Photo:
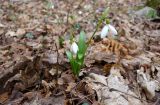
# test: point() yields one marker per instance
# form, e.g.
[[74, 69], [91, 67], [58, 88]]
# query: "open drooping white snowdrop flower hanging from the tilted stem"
[[108, 30]]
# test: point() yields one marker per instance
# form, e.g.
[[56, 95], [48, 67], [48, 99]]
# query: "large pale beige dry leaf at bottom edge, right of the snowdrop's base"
[[103, 86]]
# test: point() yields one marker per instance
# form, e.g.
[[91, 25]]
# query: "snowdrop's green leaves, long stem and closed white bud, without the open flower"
[[77, 54]]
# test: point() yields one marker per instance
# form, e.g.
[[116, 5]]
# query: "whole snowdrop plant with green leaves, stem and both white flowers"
[[76, 55]]
